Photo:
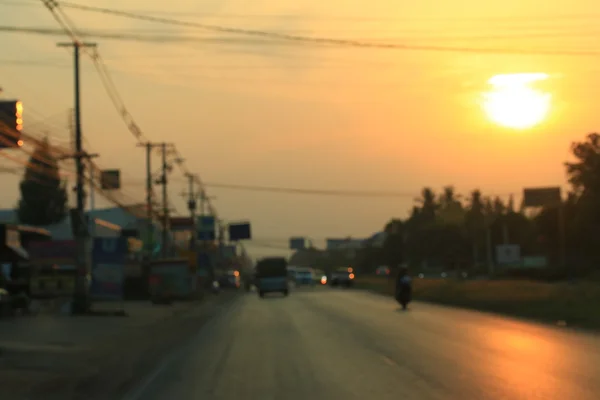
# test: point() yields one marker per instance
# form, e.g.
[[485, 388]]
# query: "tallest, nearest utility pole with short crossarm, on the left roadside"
[[81, 298]]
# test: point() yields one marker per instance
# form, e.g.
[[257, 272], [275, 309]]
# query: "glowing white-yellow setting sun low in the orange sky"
[[513, 103]]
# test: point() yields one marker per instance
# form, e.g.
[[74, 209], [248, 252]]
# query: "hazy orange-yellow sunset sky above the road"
[[253, 111]]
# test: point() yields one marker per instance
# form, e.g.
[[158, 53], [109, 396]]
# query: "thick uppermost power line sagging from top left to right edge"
[[322, 40]]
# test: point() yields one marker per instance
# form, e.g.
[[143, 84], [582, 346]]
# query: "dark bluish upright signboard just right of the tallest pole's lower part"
[[108, 268]]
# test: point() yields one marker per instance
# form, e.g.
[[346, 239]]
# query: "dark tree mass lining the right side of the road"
[[442, 230]]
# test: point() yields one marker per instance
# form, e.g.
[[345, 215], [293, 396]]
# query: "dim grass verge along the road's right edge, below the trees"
[[575, 304]]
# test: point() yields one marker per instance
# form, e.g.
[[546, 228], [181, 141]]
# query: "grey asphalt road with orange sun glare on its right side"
[[338, 344]]
